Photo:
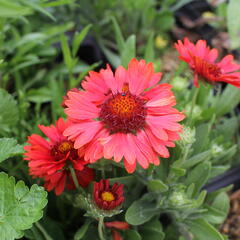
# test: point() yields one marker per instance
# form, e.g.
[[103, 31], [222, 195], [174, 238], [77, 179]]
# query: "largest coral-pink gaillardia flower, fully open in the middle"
[[124, 116]]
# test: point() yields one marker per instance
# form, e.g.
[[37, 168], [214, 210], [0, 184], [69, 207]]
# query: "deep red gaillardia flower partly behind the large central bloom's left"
[[50, 159]]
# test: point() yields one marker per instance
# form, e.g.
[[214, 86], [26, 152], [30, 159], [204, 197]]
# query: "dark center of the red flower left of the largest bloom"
[[61, 149]]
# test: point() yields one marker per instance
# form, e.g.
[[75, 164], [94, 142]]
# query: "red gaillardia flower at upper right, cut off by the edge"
[[202, 60]]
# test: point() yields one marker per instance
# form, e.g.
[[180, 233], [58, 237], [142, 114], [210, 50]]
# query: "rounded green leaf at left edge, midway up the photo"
[[7, 102]]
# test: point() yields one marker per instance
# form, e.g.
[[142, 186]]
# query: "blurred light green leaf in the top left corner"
[[10, 9]]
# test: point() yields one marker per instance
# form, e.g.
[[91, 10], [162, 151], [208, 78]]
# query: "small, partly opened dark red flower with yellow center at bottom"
[[106, 197]]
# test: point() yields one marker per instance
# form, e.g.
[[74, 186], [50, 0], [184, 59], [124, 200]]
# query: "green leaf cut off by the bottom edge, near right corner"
[[202, 230]]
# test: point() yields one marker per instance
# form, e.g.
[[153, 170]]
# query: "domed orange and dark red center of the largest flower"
[[123, 112]]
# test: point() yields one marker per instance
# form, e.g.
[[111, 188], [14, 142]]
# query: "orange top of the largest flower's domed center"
[[123, 104]]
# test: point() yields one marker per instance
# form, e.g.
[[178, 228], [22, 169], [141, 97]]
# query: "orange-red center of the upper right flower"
[[209, 71]]
